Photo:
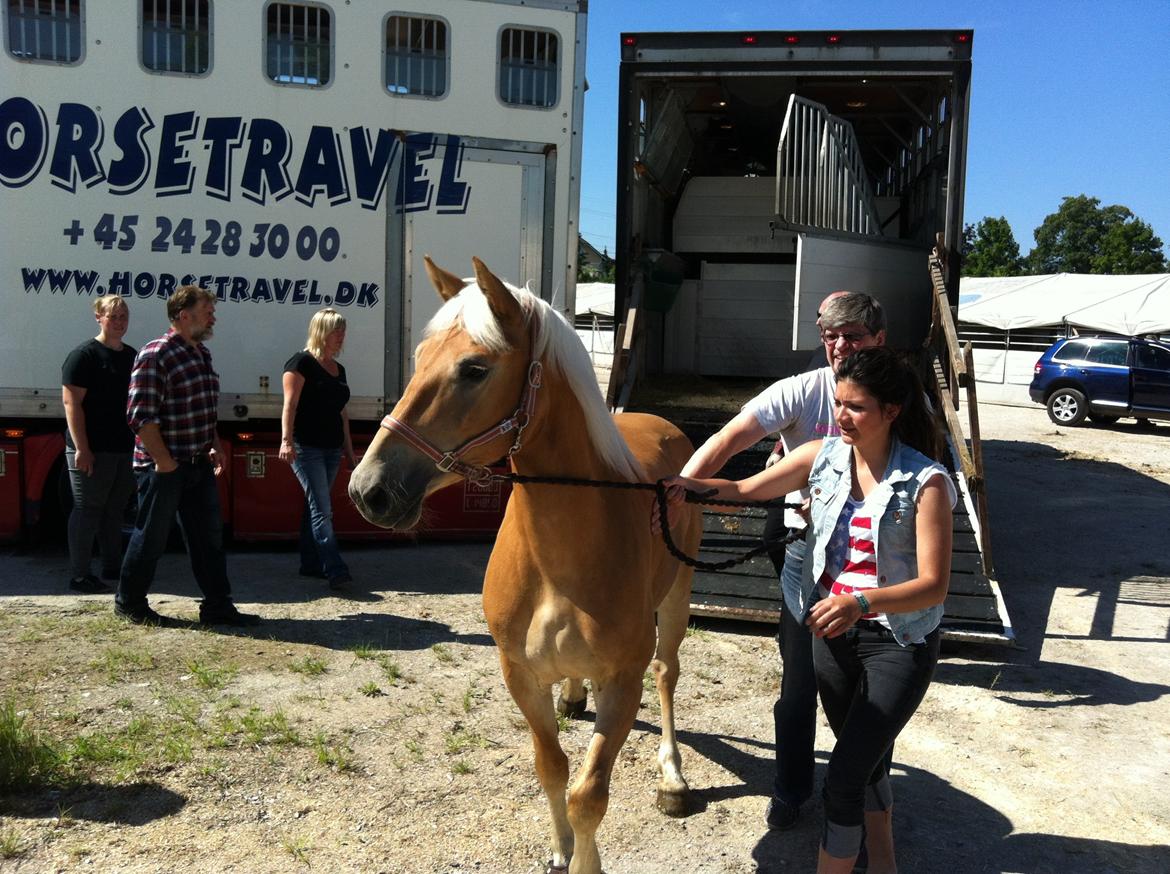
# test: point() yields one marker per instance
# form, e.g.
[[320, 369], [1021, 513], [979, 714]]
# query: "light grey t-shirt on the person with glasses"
[[801, 409]]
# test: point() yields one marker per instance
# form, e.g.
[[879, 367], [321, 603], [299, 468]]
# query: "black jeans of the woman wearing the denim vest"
[[870, 687]]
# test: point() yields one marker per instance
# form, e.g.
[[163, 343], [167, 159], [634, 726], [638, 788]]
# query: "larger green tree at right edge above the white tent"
[[1084, 237]]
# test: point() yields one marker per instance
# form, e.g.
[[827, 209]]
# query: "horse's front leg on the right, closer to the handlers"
[[617, 705]]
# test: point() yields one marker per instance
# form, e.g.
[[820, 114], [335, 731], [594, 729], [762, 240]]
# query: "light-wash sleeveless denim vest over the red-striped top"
[[896, 541]]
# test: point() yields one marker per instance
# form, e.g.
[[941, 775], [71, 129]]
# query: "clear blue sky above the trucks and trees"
[[1069, 98]]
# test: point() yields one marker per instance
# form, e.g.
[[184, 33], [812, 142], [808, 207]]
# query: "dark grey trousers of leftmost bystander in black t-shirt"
[[100, 508]]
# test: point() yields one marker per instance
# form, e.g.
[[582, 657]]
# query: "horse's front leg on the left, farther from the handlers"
[[535, 701]]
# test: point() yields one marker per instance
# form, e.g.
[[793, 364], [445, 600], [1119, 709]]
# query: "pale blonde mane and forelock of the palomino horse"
[[560, 347]]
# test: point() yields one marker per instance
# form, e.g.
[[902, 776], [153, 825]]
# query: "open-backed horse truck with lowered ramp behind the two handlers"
[[758, 173]]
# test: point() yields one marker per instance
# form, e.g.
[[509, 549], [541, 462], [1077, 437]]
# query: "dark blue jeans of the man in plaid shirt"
[[189, 493]]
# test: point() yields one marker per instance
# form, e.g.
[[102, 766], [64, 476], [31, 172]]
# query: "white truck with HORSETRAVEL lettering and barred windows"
[[287, 156]]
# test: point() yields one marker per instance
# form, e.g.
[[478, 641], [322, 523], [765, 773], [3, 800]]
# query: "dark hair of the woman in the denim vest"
[[889, 377]]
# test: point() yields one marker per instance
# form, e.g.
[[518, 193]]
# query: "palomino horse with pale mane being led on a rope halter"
[[575, 579]]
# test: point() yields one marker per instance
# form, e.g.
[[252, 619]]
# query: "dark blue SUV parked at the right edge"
[[1104, 378]]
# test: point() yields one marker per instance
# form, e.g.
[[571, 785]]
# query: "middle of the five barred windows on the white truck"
[[299, 45]]
